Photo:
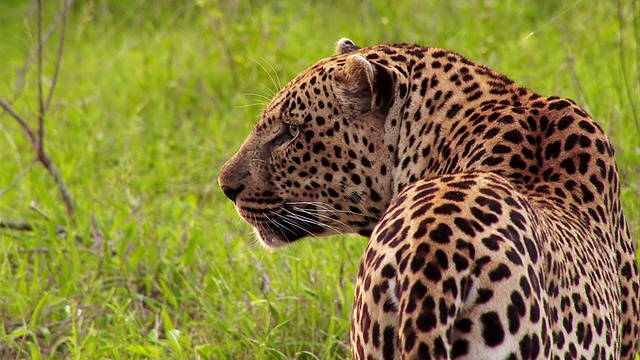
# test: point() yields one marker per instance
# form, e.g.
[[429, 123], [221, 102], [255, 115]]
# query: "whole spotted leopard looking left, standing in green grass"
[[493, 214]]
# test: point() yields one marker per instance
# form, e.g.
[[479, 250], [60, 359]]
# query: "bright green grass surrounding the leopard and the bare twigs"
[[152, 99]]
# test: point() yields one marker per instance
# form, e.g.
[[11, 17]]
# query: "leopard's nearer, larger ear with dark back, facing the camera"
[[366, 85]]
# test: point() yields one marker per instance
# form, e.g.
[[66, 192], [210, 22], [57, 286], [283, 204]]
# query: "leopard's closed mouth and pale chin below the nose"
[[277, 227]]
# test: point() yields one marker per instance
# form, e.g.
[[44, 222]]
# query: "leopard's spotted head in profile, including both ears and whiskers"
[[319, 160]]
